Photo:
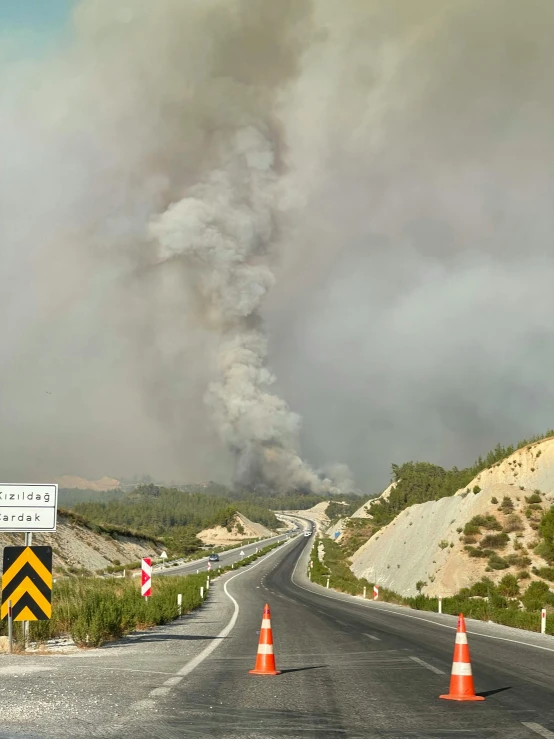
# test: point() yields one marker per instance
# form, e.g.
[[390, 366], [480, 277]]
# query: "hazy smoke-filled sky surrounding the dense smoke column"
[[411, 316]]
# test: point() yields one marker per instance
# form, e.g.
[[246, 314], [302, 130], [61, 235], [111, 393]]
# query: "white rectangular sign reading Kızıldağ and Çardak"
[[28, 507]]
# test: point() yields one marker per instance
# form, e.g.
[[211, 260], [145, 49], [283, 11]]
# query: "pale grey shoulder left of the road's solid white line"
[[96, 692]]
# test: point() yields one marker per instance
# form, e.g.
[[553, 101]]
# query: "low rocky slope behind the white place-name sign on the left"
[[76, 546]]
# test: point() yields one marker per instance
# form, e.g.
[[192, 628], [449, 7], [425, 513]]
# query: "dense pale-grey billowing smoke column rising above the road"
[[221, 227]]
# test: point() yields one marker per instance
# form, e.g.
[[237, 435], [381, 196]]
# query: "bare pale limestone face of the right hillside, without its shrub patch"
[[411, 548]]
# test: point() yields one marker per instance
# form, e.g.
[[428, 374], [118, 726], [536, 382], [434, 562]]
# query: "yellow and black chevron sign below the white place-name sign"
[[27, 582]]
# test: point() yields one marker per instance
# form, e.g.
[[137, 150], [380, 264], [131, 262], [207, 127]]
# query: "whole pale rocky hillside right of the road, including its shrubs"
[[489, 527]]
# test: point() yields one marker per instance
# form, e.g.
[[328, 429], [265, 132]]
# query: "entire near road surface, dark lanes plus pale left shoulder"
[[350, 668]]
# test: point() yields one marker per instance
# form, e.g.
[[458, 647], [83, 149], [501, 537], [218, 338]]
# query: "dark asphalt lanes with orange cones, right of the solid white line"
[[352, 670]]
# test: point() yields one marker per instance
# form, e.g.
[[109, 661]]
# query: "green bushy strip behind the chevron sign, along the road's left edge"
[[94, 610]]
